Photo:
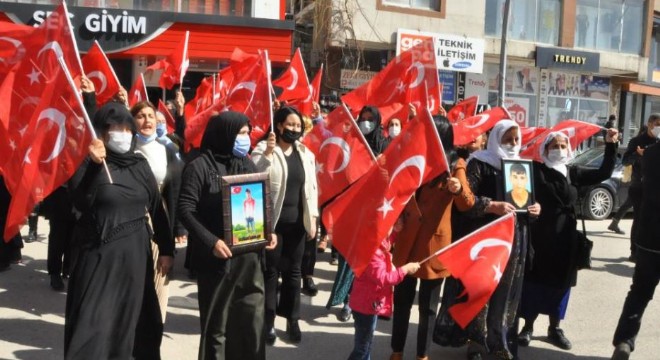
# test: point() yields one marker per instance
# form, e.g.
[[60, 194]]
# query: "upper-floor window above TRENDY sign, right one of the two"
[[610, 25]]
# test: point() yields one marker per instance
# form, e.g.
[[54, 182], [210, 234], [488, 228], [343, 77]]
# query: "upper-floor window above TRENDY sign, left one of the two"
[[529, 20]]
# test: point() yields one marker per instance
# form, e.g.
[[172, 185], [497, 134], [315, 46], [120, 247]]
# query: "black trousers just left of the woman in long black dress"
[[59, 244]]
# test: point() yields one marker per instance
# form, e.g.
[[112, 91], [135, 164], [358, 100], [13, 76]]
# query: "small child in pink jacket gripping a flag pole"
[[372, 297]]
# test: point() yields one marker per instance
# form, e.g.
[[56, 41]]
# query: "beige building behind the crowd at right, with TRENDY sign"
[[578, 59]]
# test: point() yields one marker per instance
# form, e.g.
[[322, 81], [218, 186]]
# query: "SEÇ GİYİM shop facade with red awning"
[[136, 33]]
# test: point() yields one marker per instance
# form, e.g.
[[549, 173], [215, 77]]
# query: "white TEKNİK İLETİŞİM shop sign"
[[454, 53]]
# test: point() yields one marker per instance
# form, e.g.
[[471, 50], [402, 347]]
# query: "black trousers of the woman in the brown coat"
[[404, 296]]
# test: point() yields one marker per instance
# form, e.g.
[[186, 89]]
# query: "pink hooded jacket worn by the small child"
[[373, 291]]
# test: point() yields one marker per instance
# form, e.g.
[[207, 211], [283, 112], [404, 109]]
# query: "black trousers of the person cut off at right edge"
[[645, 280]]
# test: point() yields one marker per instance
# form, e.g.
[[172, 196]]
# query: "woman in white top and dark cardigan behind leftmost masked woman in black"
[[167, 167]]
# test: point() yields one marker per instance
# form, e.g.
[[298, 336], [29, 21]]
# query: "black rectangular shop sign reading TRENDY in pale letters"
[[559, 58]]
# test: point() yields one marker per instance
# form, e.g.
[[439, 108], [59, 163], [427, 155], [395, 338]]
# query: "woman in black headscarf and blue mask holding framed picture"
[[230, 288]]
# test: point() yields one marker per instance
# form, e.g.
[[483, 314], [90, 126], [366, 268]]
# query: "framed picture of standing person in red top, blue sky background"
[[246, 211]]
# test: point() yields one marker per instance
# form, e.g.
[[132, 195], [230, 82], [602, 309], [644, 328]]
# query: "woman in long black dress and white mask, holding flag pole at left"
[[112, 310]]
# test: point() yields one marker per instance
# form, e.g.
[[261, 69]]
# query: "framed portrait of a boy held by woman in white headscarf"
[[518, 183]]
